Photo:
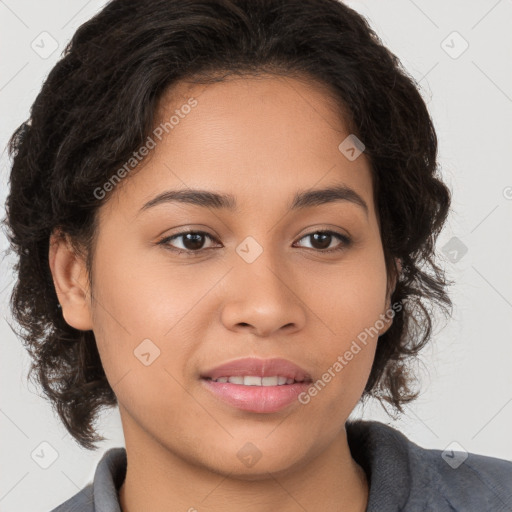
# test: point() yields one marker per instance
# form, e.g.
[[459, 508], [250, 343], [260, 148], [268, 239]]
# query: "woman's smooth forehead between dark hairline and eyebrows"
[[259, 139]]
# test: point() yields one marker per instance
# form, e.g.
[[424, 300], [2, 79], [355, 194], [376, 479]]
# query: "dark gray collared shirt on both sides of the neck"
[[402, 476]]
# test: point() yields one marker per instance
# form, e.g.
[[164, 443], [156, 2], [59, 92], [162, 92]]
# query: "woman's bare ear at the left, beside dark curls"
[[69, 274]]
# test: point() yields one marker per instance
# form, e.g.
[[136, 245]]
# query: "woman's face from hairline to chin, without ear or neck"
[[258, 283]]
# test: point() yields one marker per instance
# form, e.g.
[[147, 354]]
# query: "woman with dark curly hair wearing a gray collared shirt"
[[225, 214]]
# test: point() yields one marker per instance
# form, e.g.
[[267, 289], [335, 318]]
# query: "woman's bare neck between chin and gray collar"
[[157, 478]]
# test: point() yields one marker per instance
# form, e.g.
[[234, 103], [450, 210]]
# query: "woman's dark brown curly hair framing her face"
[[99, 104]]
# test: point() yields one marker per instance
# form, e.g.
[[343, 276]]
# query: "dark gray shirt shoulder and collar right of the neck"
[[416, 478]]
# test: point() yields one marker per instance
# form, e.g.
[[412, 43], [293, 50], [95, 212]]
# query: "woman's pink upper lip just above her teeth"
[[260, 368]]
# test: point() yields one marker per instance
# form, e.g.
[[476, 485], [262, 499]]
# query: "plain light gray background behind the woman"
[[467, 378]]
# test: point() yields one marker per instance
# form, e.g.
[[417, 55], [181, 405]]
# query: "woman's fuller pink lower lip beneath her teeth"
[[262, 399]]
